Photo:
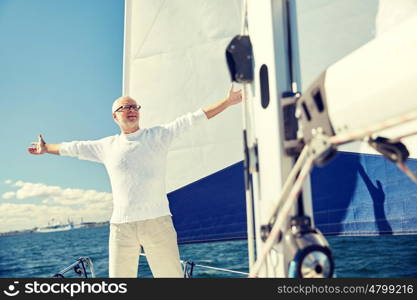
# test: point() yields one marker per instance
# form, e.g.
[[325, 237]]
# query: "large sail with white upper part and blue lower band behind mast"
[[174, 62]]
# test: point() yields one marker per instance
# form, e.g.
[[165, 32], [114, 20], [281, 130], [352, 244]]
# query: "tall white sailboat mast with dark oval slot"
[[273, 33]]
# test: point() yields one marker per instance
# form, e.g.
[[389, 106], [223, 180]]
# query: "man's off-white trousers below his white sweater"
[[159, 241]]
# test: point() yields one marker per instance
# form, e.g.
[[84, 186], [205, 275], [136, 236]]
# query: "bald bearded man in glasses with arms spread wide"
[[135, 160]]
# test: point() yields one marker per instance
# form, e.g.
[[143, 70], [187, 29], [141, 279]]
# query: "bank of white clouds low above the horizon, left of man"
[[51, 202]]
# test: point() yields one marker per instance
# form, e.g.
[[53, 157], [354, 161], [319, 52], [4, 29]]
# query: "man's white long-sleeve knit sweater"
[[136, 164]]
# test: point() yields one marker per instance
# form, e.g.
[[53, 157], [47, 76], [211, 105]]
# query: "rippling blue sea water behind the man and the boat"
[[45, 254]]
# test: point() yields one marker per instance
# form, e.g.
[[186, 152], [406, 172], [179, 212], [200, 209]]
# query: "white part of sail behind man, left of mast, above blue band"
[[174, 63]]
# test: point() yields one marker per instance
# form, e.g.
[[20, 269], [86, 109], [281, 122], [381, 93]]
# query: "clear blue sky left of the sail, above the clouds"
[[60, 71]]
